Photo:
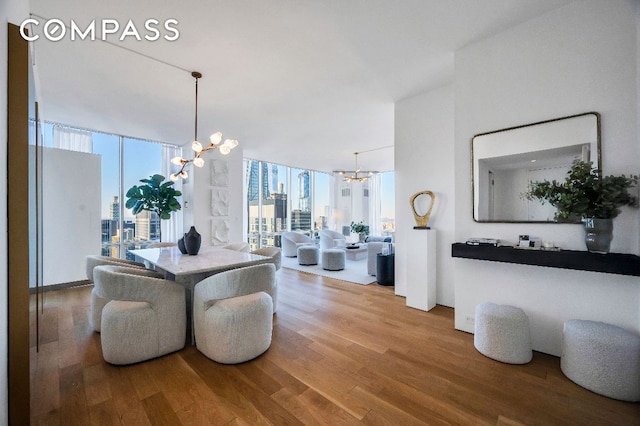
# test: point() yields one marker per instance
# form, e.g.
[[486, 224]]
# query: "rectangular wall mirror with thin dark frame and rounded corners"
[[505, 162]]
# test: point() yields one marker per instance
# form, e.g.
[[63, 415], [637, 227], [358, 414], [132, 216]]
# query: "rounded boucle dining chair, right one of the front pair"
[[233, 313]]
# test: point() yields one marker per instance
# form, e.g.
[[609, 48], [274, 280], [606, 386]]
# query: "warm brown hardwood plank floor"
[[341, 354]]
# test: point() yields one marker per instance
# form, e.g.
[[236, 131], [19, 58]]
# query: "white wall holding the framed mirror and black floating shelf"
[[578, 58]]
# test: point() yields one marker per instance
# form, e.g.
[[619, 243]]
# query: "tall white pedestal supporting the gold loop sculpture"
[[421, 269]]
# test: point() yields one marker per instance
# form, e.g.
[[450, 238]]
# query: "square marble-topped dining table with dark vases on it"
[[189, 270]]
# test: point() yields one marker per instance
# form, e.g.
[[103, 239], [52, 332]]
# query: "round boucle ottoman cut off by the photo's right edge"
[[602, 358]]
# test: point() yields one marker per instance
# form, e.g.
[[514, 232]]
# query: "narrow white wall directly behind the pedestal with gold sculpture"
[[424, 156]]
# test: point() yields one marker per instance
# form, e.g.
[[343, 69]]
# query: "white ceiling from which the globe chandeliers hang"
[[304, 83]]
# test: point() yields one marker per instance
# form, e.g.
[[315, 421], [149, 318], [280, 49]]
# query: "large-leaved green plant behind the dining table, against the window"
[[154, 196]]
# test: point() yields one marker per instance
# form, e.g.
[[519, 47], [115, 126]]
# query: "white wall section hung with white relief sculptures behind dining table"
[[197, 210]]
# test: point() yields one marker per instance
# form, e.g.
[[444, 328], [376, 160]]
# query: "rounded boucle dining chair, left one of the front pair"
[[145, 317]]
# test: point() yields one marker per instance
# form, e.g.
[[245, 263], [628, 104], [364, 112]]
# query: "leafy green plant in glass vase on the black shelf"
[[587, 194]]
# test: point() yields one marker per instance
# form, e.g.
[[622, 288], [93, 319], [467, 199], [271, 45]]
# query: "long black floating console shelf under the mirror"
[[612, 263]]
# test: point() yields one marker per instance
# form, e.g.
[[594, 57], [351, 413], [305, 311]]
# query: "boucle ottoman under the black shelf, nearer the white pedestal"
[[502, 333]]
